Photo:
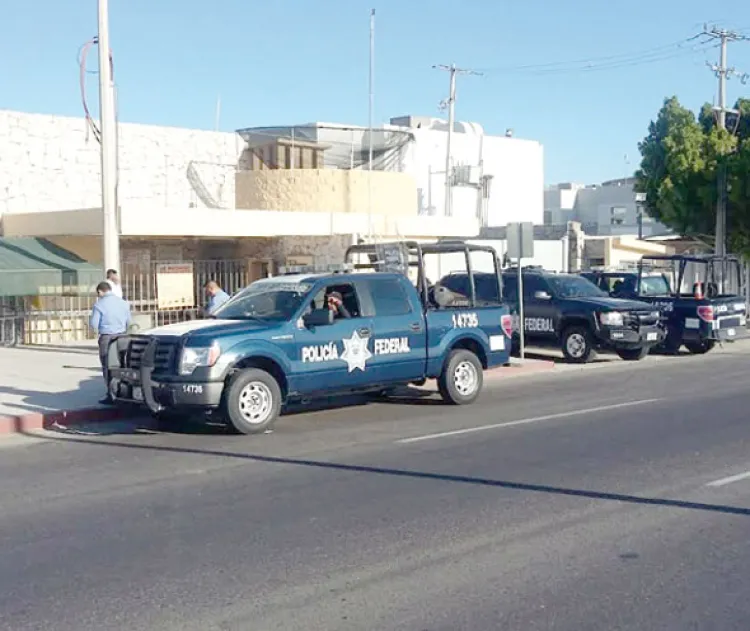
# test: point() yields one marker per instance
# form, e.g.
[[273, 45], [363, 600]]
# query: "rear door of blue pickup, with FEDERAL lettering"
[[399, 338]]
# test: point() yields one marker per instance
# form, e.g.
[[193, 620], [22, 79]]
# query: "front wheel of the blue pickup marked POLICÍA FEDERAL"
[[253, 401]]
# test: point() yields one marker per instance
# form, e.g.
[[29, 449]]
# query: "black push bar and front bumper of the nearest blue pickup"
[[138, 386]]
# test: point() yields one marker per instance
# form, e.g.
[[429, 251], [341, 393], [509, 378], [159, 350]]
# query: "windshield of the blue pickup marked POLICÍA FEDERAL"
[[273, 301]]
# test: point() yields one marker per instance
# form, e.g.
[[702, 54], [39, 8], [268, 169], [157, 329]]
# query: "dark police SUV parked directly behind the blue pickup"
[[570, 311]]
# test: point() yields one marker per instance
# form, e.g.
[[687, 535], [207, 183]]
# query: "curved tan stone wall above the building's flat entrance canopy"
[[327, 190]]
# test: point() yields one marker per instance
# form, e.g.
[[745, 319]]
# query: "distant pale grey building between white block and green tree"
[[604, 209]]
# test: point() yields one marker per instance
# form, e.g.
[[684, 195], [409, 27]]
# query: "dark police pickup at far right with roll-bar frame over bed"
[[699, 297]]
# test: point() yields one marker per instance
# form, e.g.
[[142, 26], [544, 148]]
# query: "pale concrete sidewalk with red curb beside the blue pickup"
[[41, 386]]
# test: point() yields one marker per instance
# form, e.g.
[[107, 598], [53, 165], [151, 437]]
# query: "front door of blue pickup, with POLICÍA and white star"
[[335, 357]]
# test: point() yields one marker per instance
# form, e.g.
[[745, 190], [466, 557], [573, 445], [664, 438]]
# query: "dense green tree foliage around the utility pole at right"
[[680, 160]]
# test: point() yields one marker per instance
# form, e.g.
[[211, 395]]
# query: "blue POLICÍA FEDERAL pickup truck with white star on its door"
[[302, 336]]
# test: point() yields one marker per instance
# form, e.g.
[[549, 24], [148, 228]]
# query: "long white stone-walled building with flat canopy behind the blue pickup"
[[235, 206]]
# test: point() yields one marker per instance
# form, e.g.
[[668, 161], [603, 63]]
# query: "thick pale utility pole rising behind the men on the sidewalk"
[[110, 228]]
